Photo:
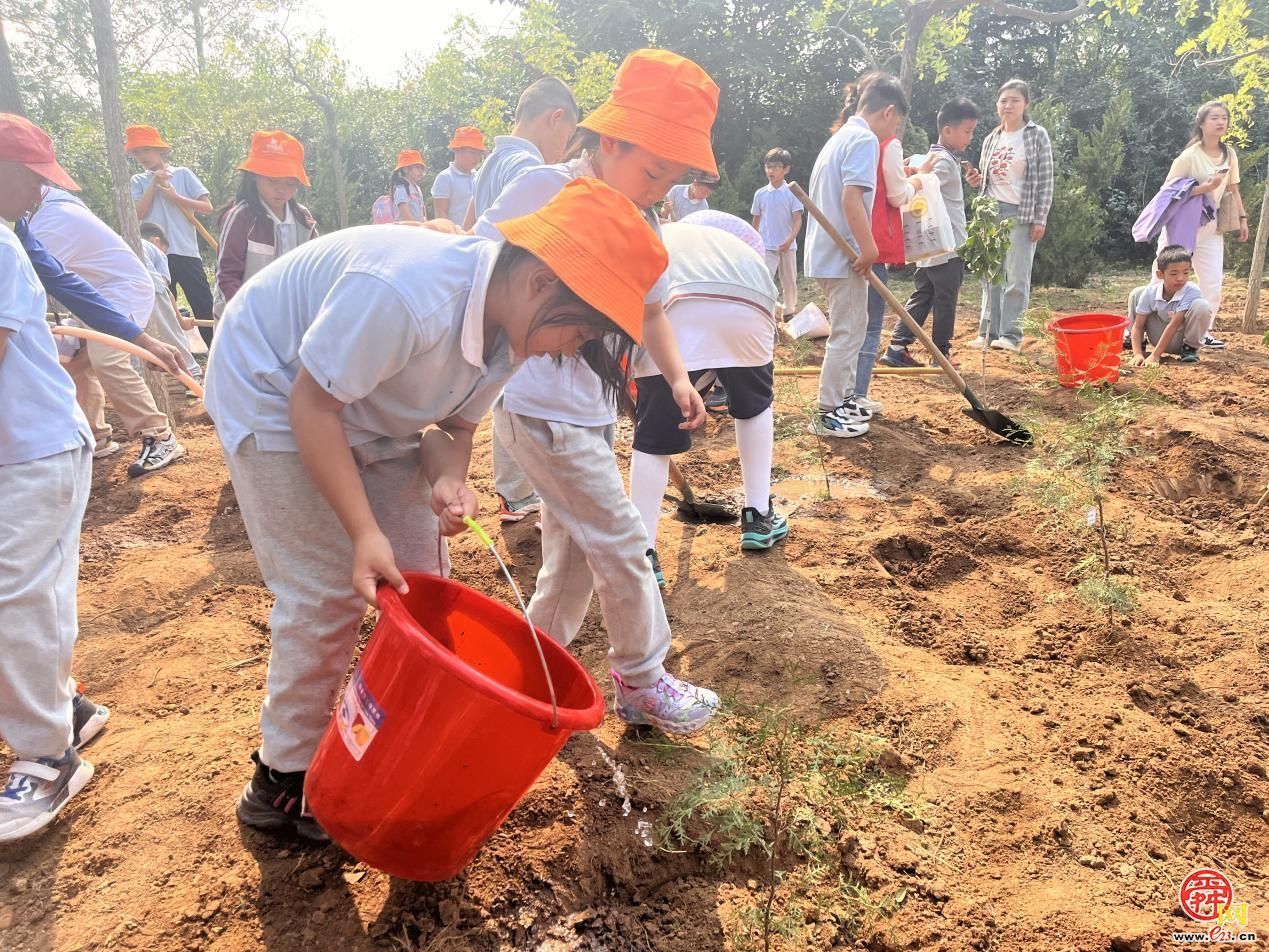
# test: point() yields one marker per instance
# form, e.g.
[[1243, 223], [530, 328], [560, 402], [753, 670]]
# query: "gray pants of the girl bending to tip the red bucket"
[[306, 562]]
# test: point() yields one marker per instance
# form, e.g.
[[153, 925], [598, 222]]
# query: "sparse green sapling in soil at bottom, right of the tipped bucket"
[[785, 791]]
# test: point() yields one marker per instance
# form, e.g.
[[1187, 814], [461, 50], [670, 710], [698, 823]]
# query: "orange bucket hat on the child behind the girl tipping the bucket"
[[664, 103]]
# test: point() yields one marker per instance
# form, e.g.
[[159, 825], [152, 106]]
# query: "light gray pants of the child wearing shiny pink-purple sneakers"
[[593, 540]]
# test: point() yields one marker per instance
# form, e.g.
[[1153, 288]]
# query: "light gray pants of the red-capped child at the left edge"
[[44, 503]]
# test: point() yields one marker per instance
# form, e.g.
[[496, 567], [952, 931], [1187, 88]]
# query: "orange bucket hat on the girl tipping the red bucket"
[[600, 244]]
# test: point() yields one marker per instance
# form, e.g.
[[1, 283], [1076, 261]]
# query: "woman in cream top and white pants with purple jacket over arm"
[[1210, 161]]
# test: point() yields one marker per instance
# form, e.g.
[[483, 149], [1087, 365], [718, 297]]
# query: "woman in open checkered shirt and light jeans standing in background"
[[1018, 172]]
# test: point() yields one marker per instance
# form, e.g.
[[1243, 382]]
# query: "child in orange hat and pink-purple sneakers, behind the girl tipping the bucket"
[[560, 426]]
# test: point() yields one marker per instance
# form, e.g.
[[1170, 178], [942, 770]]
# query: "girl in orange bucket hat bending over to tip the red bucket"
[[329, 366]]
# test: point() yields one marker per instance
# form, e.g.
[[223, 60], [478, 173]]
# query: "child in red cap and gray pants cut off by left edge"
[[46, 472]]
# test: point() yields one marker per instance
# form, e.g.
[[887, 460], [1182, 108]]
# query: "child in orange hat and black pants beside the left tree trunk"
[[171, 196]]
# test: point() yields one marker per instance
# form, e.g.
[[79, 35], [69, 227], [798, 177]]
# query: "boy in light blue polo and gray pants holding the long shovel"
[[843, 183]]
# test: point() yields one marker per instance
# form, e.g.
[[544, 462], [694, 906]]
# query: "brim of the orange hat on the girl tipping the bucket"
[[593, 281]]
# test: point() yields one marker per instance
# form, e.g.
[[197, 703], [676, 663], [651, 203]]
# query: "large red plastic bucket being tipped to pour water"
[[445, 725]]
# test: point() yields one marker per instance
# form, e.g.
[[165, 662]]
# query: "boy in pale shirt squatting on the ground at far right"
[[1171, 312]]
